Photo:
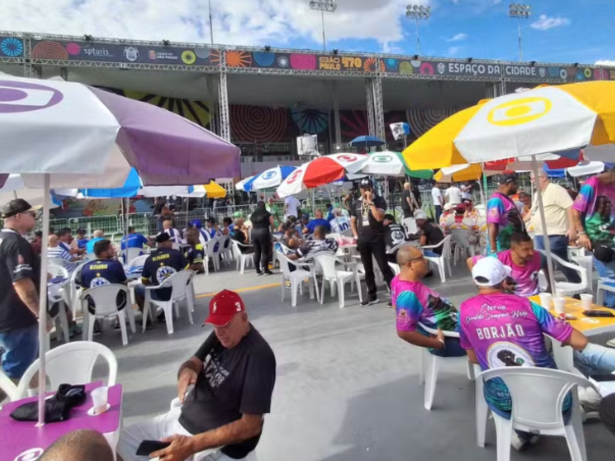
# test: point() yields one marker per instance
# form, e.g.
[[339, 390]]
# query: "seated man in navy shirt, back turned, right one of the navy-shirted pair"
[[161, 264]]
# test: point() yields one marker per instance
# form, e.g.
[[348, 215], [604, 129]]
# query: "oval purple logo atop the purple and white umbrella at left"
[[26, 97]]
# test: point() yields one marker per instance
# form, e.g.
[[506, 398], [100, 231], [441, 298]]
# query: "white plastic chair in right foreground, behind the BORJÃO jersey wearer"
[[537, 397]]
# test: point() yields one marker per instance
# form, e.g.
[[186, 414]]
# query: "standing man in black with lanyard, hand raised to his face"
[[367, 216]]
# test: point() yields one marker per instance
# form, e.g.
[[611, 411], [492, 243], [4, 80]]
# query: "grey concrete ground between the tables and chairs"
[[347, 387]]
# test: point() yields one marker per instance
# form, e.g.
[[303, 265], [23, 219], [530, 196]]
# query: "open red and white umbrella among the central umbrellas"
[[322, 171]]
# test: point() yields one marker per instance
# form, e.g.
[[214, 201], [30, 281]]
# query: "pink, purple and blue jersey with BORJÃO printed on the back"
[[506, 330]]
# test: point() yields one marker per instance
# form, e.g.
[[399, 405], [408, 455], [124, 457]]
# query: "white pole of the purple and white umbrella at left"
[[42, 320]]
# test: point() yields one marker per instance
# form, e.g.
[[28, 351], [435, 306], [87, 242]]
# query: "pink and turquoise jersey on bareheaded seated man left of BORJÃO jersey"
[[415, 303]]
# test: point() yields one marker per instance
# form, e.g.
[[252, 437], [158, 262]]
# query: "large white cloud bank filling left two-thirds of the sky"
[[236, 22]]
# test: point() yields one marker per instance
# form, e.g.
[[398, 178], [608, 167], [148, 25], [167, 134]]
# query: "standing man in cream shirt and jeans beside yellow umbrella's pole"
[[559, 219]]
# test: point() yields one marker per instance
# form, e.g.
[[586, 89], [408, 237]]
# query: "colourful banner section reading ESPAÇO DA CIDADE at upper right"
[[523, 72]]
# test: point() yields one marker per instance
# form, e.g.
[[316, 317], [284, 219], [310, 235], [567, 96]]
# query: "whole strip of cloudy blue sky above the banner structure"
[[558, 31]]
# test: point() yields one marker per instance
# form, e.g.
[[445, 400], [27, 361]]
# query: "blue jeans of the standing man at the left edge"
[[20, 350]]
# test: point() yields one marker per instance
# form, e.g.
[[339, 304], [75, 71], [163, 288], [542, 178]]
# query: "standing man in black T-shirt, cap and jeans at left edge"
[[20, 272]]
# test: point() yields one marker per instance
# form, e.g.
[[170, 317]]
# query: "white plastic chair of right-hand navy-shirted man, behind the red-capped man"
[[181, 285]]
